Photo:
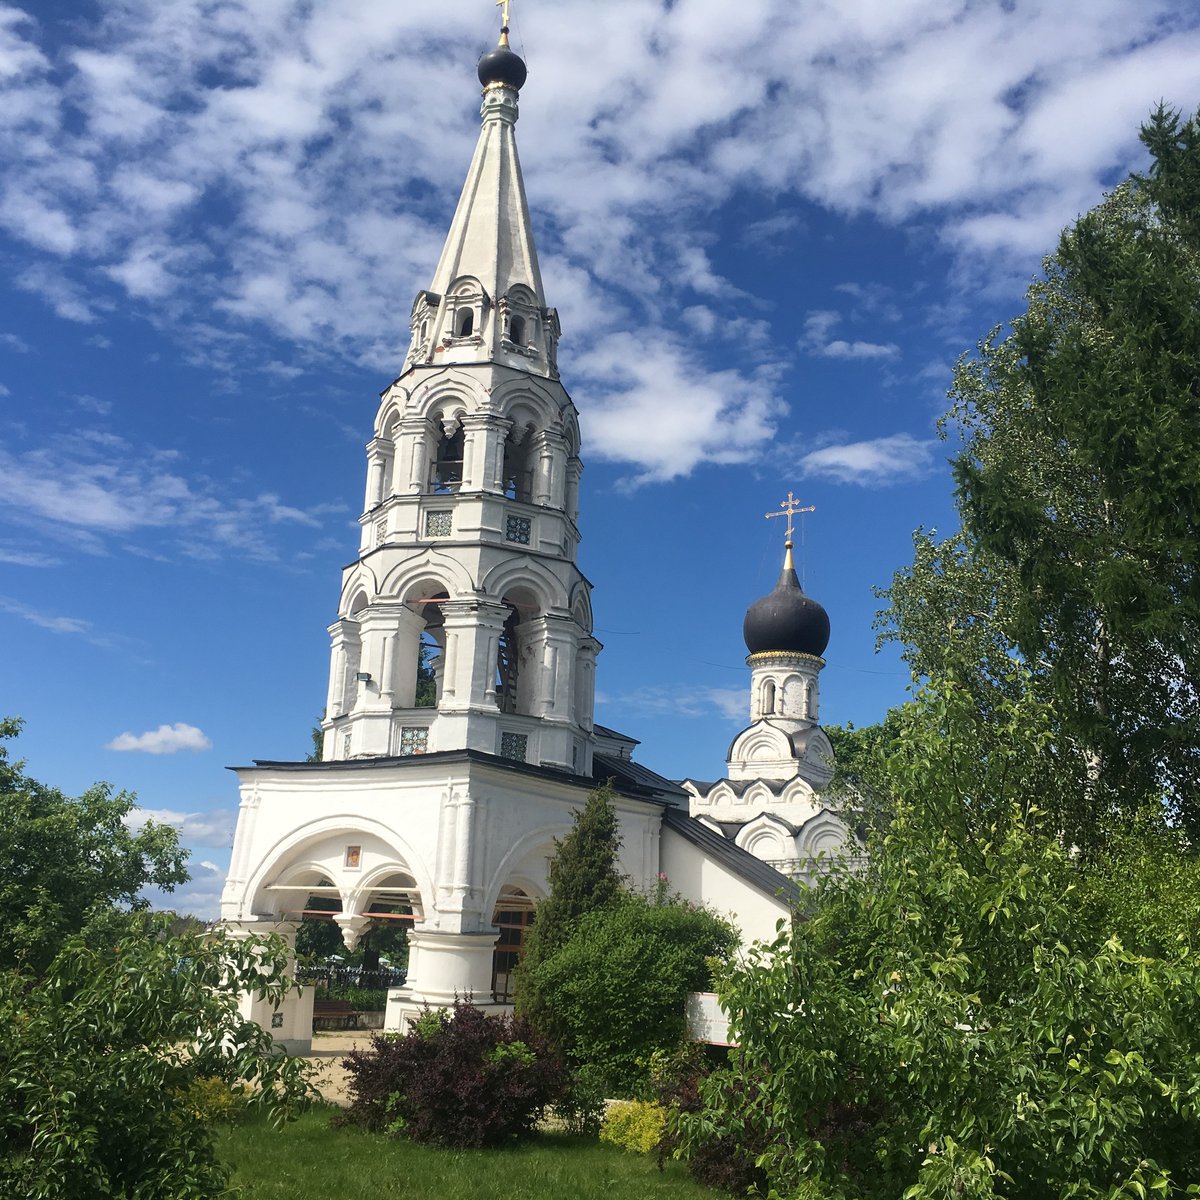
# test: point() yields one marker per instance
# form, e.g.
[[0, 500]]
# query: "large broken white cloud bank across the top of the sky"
[[991, 127]]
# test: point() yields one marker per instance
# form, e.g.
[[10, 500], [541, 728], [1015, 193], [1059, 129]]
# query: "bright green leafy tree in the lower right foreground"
[[953, 1019]]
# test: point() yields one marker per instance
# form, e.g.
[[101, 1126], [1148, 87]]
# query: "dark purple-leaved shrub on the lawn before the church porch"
[[463, 1078]]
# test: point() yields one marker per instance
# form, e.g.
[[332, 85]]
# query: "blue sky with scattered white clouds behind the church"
[[771, 230]]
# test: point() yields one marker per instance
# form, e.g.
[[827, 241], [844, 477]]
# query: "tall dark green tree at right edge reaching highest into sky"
[[1079, 495]]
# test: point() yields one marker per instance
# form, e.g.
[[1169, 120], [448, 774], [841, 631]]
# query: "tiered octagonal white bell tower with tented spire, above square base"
[[465, 622]]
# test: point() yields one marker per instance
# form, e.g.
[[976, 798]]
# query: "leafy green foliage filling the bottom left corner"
[[101, 1053]]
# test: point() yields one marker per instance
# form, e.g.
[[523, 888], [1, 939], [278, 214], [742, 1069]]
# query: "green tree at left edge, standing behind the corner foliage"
[[69, 863]]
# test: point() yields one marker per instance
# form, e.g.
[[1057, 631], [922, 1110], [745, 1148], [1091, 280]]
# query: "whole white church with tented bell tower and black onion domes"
[[459, 733]]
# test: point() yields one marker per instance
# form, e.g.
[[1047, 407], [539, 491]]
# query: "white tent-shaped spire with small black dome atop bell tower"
[[491, 236]]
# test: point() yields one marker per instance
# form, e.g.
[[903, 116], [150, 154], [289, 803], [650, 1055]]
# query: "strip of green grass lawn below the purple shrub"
[[309, 1161]]
